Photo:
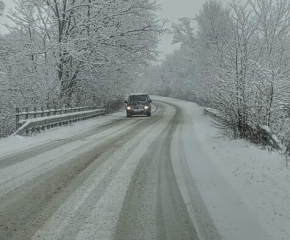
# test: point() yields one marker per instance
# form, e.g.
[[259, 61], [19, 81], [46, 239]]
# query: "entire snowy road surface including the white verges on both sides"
[[140, 178]]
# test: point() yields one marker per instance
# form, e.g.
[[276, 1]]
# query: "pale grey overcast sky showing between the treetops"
[[171, 10]]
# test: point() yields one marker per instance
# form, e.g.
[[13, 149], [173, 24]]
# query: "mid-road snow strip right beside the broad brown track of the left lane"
[[62, 224]]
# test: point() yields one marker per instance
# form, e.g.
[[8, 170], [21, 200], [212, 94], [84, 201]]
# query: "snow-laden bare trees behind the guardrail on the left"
[[73, 52]]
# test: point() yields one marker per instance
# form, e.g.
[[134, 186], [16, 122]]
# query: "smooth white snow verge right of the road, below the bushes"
[[246, 189]]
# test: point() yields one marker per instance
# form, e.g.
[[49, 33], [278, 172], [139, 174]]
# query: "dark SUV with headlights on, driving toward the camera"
[[138, 104]]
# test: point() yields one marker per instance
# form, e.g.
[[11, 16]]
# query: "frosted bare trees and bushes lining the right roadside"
[[236, 60]]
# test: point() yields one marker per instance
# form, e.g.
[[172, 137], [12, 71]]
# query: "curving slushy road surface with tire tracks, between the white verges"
[[112, 182]]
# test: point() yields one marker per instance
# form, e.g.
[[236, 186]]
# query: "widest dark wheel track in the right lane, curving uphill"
[[154, 207]]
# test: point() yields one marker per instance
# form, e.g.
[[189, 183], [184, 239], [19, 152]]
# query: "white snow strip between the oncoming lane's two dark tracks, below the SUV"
[[32, 168]]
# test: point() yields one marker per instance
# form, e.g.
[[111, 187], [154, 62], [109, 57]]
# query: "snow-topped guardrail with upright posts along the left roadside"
[[45, 122]]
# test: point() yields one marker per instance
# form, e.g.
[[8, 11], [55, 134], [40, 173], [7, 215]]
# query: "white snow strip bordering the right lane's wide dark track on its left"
[[102, 222]]
